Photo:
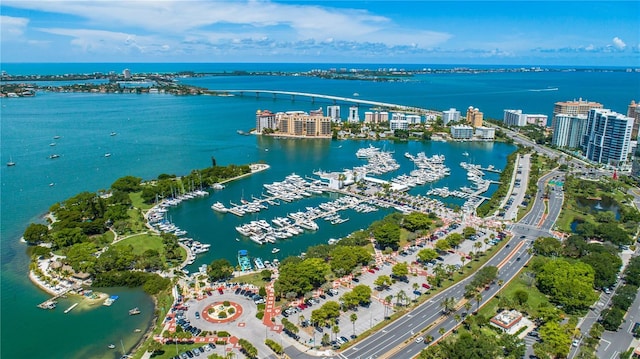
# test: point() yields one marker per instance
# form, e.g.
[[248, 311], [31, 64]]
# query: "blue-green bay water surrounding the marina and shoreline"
[[169, 134]]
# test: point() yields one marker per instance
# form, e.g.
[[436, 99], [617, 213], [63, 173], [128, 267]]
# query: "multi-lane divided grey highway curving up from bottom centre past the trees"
[[396, 340]]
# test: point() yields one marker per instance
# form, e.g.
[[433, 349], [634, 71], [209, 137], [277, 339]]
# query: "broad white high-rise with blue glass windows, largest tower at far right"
[[607, 139]]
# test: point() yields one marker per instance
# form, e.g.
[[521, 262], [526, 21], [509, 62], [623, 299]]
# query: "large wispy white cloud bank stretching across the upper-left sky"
[[246, 20]]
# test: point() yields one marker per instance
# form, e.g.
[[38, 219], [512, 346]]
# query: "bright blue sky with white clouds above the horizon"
[[574, 33]]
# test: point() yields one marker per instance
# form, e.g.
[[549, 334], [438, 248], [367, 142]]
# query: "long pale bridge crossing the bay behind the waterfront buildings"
[[313, 96]]
